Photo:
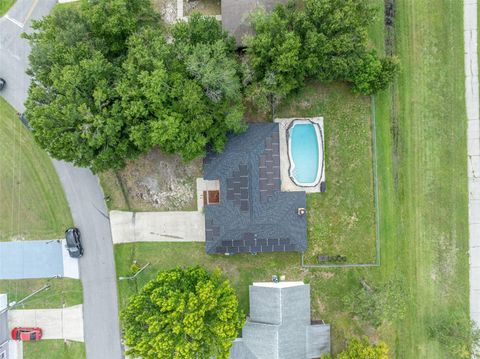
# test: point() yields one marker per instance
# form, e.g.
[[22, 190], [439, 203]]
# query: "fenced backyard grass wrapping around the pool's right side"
[[340, 221]]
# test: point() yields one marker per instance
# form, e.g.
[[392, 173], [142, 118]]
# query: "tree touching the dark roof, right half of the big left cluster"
[[186, 95]]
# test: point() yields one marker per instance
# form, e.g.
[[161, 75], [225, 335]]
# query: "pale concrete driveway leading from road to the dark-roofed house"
[[130, 227]]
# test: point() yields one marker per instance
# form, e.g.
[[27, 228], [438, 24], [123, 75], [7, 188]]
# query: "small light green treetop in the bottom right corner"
[[454, 330]]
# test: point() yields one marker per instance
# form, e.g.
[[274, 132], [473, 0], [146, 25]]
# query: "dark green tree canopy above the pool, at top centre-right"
[[323, 39]]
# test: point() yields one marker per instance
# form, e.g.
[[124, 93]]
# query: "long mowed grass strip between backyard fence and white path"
[[429, 171]]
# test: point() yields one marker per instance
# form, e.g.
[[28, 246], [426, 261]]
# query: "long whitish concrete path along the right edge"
[[473, 144]]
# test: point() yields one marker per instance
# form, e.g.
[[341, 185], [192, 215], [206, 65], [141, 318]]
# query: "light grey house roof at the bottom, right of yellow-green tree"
[[279, 326]]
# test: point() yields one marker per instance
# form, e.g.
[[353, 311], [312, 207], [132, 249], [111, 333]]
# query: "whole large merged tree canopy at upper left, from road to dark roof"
[[107, 86]]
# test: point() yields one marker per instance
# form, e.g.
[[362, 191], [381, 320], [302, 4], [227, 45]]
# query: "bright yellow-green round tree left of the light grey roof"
[[182, 313]]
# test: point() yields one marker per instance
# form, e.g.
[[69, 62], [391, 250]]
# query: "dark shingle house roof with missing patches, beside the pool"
[[253, 214]]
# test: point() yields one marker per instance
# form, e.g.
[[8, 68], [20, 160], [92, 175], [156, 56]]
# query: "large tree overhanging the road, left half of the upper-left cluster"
[[73, 102]]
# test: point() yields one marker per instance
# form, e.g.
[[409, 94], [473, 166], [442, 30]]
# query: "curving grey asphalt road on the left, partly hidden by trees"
[[85, 197]]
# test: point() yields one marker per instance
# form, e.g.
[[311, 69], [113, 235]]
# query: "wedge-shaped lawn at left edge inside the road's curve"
[[33, 205]]
